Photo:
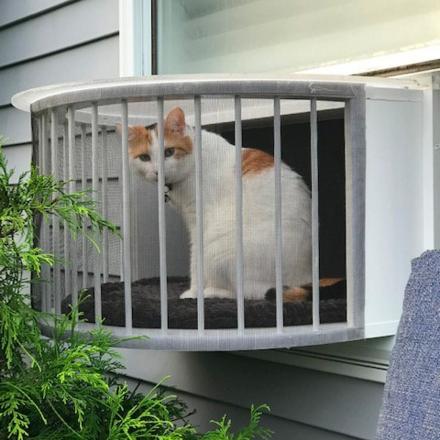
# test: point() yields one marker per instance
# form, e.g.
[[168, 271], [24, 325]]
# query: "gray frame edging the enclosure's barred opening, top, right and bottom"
[[352, 93]]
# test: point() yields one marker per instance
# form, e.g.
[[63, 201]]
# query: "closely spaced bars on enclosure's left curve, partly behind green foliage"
[[63, 167]]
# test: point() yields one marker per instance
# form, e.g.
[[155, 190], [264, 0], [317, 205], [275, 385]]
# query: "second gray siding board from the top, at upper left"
[[71, 25]]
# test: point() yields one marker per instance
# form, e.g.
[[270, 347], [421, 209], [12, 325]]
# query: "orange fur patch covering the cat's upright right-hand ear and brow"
[[175, 133]]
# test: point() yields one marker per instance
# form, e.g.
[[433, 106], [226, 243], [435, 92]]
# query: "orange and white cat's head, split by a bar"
[[143, 148]]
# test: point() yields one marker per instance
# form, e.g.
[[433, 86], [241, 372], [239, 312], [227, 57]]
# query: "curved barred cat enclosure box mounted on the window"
[[316, 126]]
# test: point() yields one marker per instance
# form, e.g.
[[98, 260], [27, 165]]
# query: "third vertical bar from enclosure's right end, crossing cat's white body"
[[239, 266]]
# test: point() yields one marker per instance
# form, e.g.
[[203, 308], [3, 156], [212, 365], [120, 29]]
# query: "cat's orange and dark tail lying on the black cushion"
[[328, 288]]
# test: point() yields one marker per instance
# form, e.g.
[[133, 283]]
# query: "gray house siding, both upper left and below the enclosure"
[[47, 41]]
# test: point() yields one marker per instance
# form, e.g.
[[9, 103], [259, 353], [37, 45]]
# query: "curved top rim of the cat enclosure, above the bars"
[[134, 90]]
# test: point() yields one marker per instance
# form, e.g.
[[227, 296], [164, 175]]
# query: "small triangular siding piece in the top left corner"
[[13, 10]]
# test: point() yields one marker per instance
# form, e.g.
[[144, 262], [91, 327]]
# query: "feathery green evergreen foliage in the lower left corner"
[[68, 387]]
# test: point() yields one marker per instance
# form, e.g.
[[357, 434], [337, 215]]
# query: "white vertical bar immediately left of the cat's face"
[[126, 218]]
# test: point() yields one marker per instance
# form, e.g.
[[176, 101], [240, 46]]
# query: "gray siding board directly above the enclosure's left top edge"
[[93, 61]]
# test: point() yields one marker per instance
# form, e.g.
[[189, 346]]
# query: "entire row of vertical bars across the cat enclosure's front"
[[101, 263]]
